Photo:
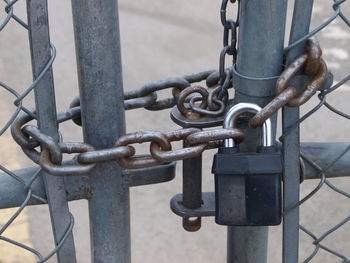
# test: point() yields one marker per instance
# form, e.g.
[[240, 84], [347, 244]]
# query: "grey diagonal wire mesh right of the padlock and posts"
[[318, 240]]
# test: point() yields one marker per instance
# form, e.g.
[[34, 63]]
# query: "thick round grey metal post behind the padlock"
[[260, 45]]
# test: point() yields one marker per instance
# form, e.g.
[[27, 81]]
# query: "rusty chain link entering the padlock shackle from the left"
[[208, 136]]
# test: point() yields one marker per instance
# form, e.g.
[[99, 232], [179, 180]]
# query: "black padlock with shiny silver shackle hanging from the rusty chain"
[[247, 184]]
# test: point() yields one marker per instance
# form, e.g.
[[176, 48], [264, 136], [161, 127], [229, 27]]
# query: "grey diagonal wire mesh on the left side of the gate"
[[19, 97]]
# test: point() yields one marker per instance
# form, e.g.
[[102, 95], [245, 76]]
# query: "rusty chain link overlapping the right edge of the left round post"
[[140, 137]]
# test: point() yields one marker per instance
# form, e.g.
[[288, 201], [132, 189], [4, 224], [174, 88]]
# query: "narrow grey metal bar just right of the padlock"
[[291, 143]]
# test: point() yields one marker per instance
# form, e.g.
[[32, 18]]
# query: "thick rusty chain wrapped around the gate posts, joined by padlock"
[[50, 158]]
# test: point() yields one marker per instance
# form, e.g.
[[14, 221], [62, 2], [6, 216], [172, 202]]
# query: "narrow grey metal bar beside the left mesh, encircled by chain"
[[39, 38]]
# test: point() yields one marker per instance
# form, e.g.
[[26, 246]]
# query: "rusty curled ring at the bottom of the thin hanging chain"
[[187, 112]]
